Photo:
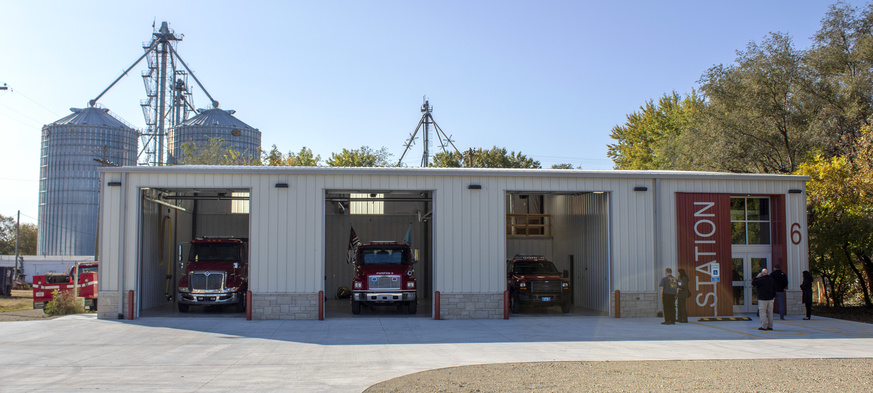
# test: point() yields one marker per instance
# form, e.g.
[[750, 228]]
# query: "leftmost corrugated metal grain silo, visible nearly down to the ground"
[[72, 150]]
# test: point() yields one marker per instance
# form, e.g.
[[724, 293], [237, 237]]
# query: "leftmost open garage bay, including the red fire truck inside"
[[171, 218]]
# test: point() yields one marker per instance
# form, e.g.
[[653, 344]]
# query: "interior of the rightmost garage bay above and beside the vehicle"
[[570, 229]]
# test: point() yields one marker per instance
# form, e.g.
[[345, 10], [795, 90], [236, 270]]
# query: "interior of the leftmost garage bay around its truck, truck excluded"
[[170, 218]]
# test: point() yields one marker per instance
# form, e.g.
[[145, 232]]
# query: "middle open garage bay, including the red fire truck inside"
[[392, 219]]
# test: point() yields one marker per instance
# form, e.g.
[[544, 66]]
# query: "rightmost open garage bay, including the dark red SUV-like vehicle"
[[568, 229]]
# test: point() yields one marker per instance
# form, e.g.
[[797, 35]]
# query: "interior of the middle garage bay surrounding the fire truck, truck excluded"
[[378, 215]]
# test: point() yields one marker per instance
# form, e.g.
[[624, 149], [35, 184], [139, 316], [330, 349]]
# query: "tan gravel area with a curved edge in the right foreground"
[[767, 375]]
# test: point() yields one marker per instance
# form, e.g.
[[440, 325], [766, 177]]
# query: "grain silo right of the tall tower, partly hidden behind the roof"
[[209, 126]]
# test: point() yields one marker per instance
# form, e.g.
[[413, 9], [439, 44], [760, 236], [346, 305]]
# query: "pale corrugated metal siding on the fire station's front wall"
[[289, 242]]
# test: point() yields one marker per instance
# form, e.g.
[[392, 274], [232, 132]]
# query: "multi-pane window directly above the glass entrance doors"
[[750, 221]]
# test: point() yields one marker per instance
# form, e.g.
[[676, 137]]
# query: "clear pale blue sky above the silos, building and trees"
[[549, 79]]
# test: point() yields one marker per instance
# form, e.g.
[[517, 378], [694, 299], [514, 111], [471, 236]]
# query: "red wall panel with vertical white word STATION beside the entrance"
[[704, 235]]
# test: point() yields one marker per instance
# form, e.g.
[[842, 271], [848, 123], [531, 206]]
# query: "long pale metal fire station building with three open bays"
[[614, 232]]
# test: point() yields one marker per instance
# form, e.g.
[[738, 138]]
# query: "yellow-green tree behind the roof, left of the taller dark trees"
[[651, 138]]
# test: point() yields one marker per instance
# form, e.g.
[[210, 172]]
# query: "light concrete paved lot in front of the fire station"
[[347, 354]]
